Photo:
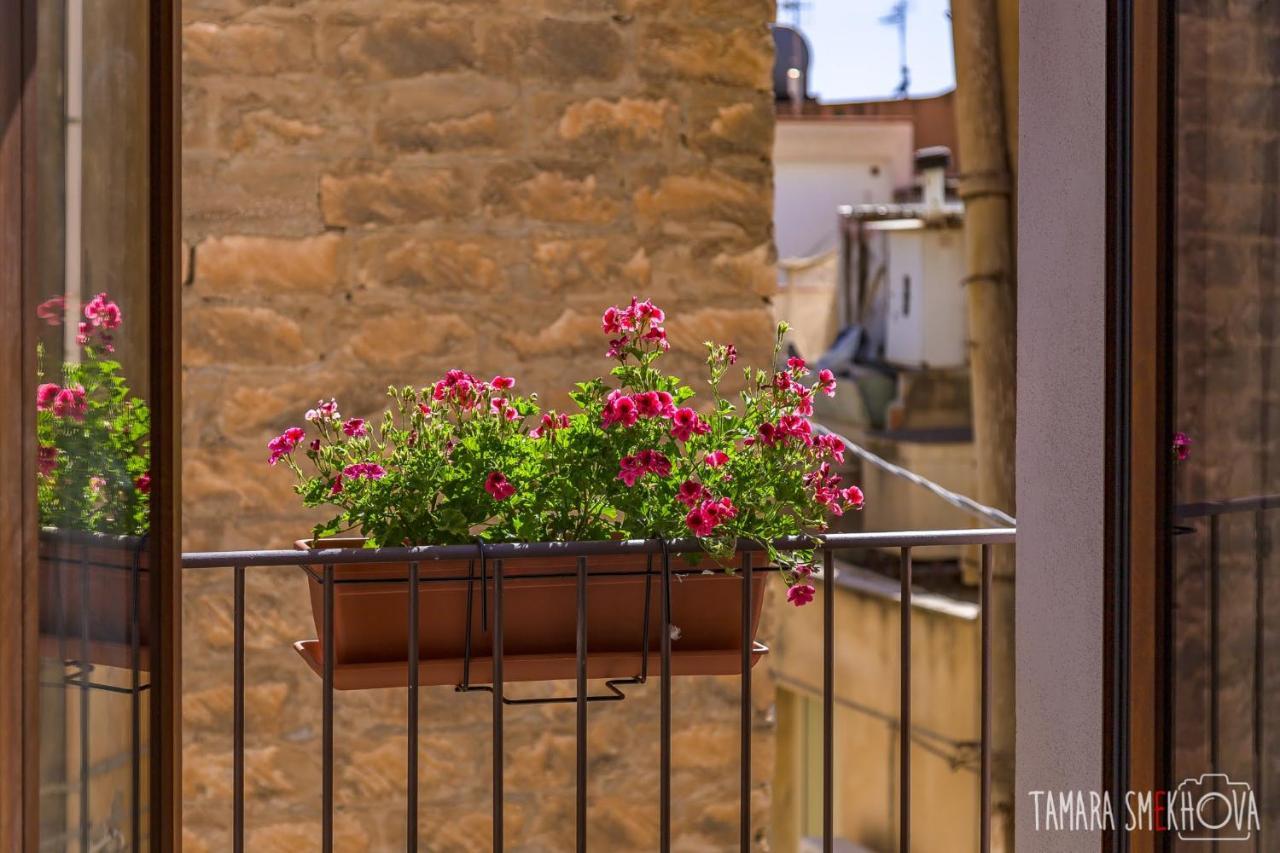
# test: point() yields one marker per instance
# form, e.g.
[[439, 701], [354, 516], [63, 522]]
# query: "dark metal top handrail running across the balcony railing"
[[516, 550]]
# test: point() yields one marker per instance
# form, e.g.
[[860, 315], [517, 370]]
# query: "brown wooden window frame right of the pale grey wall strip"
[[1140, 232]]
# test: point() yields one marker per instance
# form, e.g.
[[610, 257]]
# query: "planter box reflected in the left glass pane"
[[79, 569]]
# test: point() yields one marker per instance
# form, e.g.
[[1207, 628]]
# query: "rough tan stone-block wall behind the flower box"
[[377, 191]]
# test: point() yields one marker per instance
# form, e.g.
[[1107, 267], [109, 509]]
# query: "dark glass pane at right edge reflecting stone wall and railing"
[[1227, 391]]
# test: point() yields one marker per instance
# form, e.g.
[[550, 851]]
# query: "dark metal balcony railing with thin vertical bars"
[[661, 553]]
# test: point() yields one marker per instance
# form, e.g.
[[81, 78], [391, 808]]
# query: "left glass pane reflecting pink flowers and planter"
[[90, 284]]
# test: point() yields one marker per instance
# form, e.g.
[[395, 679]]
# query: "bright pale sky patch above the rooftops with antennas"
[[856, 57]]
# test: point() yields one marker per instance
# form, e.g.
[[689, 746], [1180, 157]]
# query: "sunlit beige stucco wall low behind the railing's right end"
[[945, 718]]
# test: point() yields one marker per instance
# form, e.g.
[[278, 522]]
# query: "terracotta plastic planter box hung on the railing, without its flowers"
[[540, 626]]
